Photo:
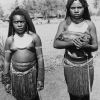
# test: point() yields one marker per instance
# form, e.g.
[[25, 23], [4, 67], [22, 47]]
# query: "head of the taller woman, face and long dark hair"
[[77, 9]]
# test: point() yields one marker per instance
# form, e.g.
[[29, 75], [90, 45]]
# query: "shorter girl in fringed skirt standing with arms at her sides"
[[24, 64]]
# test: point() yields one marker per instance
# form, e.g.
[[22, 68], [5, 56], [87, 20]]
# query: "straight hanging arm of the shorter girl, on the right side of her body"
[[40, 78]]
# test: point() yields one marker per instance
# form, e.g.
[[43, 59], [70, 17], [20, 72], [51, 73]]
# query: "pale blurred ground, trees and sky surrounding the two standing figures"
[[46, 16]]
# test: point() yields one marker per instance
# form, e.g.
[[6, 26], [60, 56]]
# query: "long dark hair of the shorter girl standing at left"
[[23, 12]]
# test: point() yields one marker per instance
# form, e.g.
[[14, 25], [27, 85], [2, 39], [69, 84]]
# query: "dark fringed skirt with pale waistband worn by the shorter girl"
[[23, 84]]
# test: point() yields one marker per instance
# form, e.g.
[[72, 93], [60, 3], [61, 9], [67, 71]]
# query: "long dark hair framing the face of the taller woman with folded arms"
[[84, 3]]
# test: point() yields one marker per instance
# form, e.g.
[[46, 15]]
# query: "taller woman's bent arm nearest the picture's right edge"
[[94, 41]]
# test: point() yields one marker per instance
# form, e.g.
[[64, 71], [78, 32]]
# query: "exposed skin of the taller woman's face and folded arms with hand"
[[76, 12]]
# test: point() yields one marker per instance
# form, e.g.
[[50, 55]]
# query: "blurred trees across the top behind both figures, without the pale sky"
[[48, 8]]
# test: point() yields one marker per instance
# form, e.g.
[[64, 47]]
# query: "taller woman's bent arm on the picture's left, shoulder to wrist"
[[59, 44]]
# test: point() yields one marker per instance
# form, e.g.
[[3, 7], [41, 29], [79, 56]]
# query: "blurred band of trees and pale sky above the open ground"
[[45, 9]]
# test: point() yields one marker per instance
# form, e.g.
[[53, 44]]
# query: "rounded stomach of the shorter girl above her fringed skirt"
[[23, 60]]
